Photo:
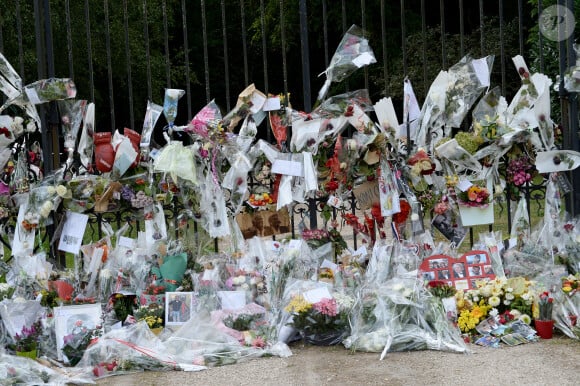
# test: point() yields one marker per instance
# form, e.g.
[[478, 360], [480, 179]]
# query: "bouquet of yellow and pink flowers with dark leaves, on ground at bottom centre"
[[320, 323]]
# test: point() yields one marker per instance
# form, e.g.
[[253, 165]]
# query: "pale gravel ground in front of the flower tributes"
[[547, 362]]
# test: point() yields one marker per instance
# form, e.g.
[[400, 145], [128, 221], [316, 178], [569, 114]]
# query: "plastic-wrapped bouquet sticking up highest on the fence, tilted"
[[352, 53]]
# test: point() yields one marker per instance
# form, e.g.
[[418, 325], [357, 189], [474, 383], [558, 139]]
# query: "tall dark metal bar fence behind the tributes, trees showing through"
[[123, 53]]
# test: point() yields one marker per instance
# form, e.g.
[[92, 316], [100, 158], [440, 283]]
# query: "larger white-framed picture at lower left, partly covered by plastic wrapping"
[[75, 320]]
